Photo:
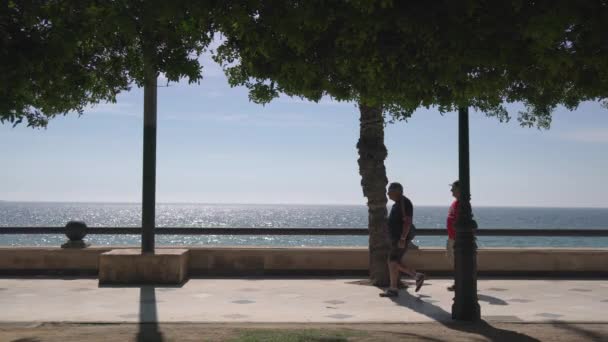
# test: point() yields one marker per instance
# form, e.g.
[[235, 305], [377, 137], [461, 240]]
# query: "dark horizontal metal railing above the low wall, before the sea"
[[599, 232]]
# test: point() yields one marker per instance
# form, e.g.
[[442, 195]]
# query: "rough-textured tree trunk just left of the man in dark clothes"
[[372, 154]]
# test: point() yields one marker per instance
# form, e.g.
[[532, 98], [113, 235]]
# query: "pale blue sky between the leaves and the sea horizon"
[[215, 146]]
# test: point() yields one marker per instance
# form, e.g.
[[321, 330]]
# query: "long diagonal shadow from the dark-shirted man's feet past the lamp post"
[[443, 317]]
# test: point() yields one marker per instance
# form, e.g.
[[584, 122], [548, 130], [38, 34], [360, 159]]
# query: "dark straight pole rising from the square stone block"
[[149, 164]]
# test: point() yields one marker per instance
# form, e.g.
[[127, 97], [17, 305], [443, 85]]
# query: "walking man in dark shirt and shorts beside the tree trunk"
[[400, 234]]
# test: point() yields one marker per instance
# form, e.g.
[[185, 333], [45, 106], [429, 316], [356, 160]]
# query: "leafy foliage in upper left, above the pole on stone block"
[[59, 56]]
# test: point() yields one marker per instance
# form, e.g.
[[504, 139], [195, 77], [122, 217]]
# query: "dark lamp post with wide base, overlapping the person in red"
[[466, 306]]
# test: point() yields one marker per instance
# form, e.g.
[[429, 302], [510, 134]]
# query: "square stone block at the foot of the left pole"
[[129, 266]]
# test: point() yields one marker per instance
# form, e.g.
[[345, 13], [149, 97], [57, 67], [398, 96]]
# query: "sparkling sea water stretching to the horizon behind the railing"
[[20, 214]]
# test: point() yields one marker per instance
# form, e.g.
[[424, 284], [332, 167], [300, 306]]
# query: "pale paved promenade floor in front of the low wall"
[[295, 300]]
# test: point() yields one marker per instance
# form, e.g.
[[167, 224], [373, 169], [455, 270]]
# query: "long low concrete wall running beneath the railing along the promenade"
[[314, 260]]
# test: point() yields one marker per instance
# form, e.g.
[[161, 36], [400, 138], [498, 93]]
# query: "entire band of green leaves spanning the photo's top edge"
[[59, 56]]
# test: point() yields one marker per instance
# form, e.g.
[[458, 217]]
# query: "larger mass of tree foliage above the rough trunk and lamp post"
[[406, 54]]
